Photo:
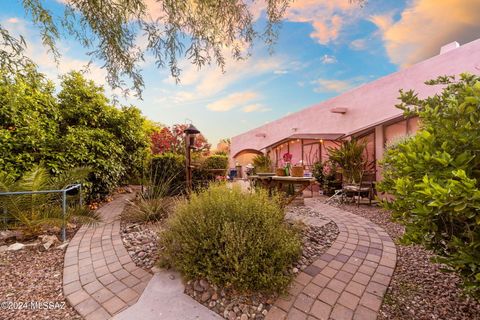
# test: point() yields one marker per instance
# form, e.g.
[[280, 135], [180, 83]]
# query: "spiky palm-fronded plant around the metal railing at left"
[[33, 212]]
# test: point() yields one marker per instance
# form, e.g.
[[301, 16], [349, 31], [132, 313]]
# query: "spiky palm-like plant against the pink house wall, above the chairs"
[[350, 159]]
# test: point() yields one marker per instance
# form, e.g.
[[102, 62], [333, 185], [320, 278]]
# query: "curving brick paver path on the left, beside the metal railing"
[[99, 277]]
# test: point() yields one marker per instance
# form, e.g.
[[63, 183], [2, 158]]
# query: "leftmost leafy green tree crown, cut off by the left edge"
[[28, 120]]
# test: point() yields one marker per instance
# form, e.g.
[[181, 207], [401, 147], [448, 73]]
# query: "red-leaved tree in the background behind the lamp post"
[[173, 140]]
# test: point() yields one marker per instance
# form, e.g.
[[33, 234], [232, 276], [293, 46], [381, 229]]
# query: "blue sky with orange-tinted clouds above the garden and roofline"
[[325, 47]]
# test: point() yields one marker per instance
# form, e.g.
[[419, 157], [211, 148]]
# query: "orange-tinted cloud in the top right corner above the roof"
[[426, 25]]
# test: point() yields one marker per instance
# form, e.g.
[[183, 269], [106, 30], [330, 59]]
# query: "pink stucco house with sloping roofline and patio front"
[[367, 111]]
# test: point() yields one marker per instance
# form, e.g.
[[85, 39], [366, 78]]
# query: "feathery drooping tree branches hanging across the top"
[[198, 29]]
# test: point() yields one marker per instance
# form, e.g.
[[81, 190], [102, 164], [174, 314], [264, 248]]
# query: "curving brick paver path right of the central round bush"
[[346, 282]]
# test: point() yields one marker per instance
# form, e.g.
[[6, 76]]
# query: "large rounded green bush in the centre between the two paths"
[[232, 239]]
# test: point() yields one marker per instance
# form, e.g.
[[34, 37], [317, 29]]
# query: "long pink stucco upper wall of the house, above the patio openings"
[[369, 104]]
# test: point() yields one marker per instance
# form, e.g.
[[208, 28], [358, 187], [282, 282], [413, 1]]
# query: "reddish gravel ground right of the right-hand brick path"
[[419, 289]]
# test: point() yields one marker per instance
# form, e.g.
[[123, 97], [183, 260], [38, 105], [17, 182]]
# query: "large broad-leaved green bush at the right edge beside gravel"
[[434, 176]]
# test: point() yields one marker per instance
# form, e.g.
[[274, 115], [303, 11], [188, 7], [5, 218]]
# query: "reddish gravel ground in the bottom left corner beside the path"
[[33, 275]]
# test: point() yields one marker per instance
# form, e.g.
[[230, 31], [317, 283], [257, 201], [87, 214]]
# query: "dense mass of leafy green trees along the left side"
[[77, 128]]
